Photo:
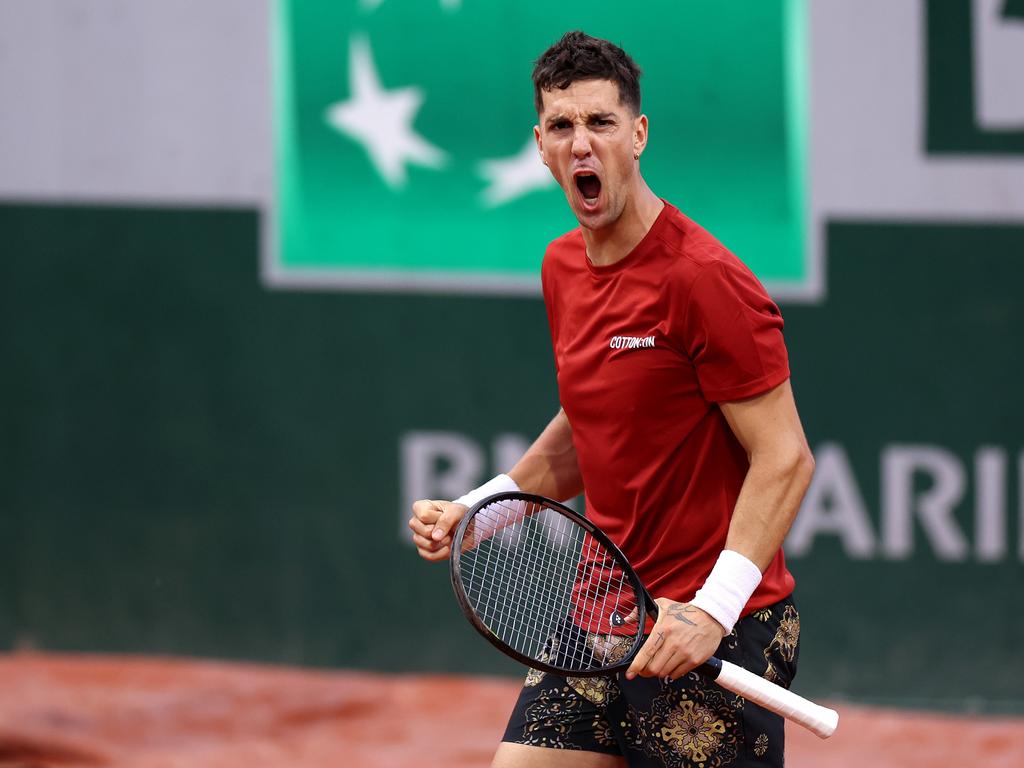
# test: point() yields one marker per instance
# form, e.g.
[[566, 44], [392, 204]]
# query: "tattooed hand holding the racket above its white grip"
[[684, 637]]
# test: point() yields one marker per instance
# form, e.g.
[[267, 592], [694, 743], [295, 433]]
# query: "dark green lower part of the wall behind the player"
[[191, 463]]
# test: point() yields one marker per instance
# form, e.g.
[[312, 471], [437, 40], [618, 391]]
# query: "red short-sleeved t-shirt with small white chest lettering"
[[645, 350]]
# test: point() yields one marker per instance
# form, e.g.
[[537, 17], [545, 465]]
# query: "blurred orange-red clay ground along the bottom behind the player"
[[124, 712]]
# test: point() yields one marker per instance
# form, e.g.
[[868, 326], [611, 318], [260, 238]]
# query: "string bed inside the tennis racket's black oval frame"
[[546, 588]]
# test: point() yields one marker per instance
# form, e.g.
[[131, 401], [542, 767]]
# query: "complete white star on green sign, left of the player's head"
[[382, 120]]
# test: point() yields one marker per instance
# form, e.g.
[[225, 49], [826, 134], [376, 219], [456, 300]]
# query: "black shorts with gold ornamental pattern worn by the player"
[[651, 722]]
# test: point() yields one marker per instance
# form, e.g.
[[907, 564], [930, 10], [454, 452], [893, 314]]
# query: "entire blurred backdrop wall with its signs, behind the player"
[[270, 272]]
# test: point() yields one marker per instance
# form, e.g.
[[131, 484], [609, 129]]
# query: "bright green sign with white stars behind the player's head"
[[405, 151]]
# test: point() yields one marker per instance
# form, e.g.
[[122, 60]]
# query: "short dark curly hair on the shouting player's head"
[[580, 57]]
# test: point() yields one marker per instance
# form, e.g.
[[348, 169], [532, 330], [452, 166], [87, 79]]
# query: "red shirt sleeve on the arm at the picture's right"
[[734, 334]]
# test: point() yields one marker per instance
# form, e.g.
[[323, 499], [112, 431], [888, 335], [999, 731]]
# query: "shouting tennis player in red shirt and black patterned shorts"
[[678, 422]]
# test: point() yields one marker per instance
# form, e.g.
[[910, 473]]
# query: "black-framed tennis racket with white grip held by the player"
[[549, 589]]
